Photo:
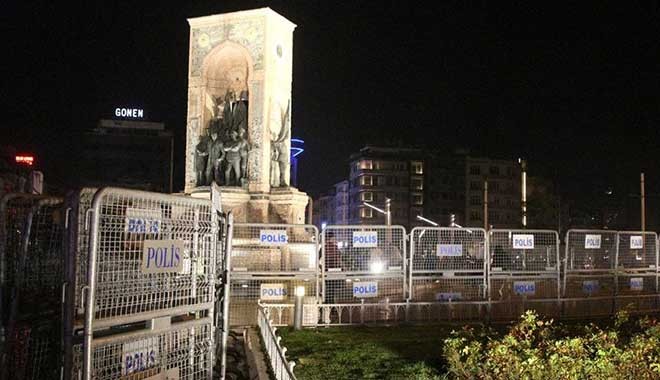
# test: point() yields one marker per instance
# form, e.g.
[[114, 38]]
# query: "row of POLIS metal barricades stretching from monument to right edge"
[[509, 269]]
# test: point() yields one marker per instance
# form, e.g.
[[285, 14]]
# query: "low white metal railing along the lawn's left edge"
[[282, 369]]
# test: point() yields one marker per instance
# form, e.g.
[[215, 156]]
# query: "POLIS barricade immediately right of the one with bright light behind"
[[447, 265]]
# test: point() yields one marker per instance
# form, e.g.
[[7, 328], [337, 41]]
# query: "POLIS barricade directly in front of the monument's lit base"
[[268, 262]]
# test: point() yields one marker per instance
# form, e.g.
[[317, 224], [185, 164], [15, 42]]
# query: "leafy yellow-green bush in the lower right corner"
[[538, 349]]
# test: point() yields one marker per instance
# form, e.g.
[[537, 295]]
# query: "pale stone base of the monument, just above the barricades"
[[284, 205]]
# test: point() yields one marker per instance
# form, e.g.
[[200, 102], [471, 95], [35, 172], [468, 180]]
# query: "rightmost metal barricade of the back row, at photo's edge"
[[636, 270]]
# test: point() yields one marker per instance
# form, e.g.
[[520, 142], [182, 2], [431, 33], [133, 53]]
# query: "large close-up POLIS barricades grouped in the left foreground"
[[111, 283]]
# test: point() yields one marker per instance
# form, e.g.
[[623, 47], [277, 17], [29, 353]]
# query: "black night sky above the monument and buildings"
[[574, 88]]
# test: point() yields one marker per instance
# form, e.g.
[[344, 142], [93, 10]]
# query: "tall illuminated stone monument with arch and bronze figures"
[[239, 114]]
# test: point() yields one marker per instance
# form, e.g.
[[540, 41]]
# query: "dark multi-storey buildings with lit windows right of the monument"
[[438, 185]]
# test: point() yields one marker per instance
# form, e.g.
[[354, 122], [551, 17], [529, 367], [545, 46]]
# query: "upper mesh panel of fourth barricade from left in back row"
[[523, 251]]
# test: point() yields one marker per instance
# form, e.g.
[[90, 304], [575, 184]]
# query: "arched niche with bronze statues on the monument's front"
[[226, 72]]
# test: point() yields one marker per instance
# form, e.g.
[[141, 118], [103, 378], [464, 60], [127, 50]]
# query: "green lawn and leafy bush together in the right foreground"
[[533, 348]]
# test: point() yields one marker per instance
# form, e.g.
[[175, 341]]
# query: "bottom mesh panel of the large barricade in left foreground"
[[181, 353]]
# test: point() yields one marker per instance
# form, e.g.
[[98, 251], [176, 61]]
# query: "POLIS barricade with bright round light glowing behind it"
[[363, 264]]
